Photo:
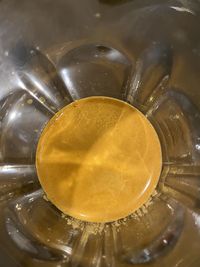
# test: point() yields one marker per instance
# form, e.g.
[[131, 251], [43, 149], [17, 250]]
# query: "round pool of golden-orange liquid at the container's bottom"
[[98, 159]]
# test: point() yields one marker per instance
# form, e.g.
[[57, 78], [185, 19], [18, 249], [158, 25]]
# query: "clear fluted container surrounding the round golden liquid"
[[144, 52]]
